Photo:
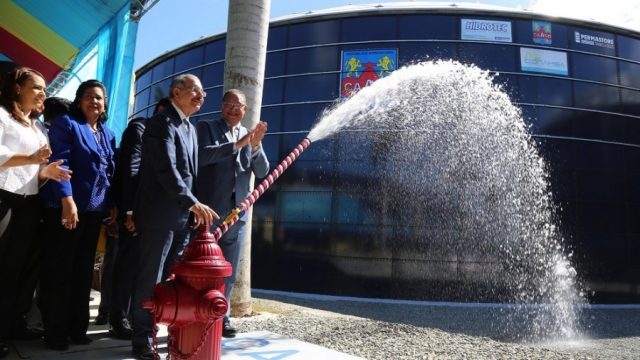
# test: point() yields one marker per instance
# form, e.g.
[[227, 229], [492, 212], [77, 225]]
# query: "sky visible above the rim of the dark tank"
[[173, 23]]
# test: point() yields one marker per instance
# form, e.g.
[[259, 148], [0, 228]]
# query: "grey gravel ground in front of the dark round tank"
[[400, 331]]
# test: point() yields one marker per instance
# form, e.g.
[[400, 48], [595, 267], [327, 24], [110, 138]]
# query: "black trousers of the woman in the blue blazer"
[[67, 273]]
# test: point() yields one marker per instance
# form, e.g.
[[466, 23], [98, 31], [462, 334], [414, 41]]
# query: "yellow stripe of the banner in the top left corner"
[[35, 34]]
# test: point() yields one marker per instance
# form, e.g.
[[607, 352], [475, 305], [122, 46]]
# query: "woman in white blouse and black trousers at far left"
[[24, 154]]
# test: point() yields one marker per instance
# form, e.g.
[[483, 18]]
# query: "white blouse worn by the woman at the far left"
[[16, 138]]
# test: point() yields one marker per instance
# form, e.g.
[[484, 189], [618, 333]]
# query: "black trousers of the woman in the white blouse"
[[19, 249]]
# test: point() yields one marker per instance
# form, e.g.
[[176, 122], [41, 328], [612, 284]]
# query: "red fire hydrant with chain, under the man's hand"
[[193, 303]]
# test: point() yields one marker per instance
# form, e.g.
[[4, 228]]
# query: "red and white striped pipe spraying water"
[[236, 213]]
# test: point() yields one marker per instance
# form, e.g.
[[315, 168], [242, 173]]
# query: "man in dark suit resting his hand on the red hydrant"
[[165, 199]]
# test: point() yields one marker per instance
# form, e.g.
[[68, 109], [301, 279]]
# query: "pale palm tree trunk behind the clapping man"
[[245, 58]]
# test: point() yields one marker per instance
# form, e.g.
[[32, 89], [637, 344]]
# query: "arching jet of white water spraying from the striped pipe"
[[454, 160]]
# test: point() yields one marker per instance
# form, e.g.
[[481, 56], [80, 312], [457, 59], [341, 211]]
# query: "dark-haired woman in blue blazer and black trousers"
[[74, 212]]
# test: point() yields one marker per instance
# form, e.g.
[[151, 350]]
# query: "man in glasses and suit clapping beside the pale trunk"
[[228, 154]]
